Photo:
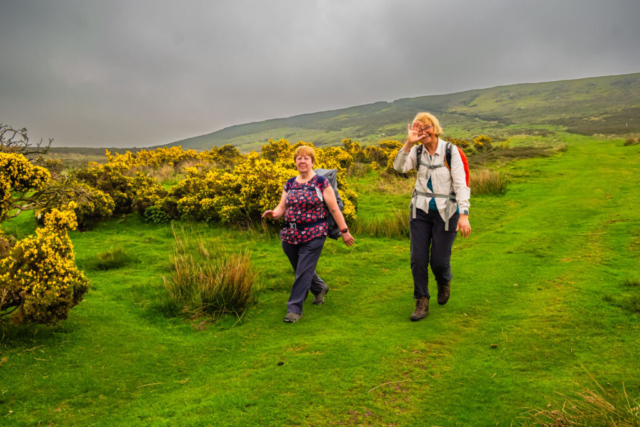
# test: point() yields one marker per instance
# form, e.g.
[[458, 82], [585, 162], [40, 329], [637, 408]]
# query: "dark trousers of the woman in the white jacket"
[[430, 244]]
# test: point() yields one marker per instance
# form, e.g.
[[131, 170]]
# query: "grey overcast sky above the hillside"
[[140, 73]]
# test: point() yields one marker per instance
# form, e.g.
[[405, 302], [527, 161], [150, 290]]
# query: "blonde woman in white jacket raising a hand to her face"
[[439, 208]]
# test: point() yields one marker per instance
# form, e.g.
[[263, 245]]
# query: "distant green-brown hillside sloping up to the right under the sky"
[[587, 106]]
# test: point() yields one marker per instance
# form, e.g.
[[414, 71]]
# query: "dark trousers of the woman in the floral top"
[[304, 258]]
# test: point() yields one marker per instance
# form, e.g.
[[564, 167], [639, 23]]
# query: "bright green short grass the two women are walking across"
[[532, 279]]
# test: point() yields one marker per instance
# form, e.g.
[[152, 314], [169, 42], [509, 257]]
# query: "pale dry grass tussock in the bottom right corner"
[[589, 408]]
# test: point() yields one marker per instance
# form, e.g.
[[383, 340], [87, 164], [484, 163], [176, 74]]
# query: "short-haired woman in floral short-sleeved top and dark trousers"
[[306, 229]]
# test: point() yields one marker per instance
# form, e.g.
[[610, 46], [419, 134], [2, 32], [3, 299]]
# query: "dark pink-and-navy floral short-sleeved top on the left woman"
[[304, 207]]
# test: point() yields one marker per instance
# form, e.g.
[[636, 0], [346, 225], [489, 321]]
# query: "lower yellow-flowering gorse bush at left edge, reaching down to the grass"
[[39, 280]]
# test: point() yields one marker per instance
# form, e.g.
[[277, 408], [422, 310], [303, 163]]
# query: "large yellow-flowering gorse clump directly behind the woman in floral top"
[[254, 185]]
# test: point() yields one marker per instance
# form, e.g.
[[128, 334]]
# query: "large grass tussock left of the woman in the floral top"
[[206, 280]]
